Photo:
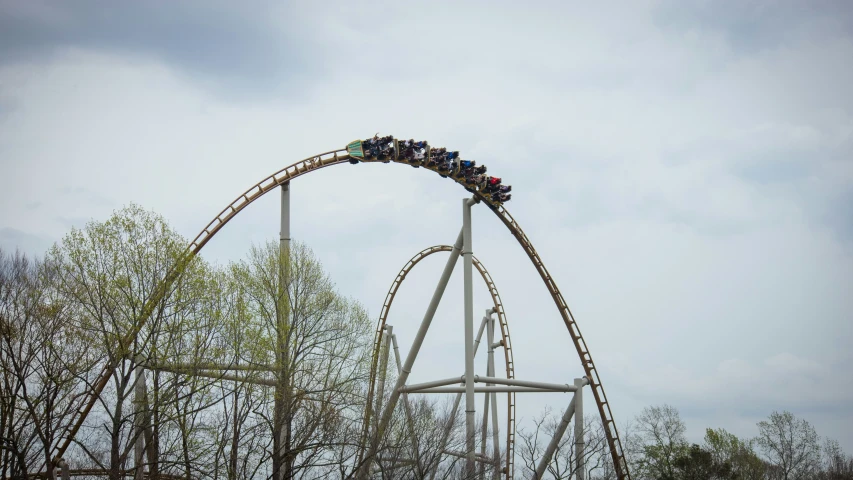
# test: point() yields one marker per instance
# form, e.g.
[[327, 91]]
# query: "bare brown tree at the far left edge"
[[42, 358]]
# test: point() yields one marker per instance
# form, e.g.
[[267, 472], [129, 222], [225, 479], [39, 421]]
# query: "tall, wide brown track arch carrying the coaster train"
[[310, 164]]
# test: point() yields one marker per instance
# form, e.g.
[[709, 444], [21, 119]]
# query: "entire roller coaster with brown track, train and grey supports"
[[484, 189]]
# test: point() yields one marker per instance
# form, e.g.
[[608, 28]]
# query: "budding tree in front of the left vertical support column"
[[317, 344]]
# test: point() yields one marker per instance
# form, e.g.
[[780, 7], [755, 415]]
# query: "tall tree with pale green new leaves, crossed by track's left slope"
[[107, 272]]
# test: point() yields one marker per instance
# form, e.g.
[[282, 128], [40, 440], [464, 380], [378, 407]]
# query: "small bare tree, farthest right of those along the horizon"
[[790, 445]]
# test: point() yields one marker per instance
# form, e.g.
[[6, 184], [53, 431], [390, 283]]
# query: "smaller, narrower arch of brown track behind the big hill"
[[504, 326]]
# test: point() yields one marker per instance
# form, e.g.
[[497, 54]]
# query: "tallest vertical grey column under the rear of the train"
[[470, 408]]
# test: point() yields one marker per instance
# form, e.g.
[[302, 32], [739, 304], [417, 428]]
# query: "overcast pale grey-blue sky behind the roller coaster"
[[685, 170]]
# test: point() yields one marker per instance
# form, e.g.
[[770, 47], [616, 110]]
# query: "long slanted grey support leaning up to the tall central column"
[[364, 470]]
